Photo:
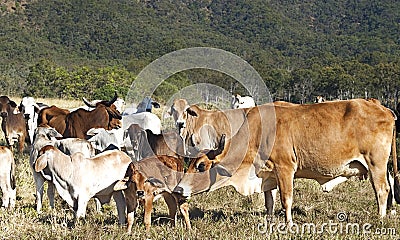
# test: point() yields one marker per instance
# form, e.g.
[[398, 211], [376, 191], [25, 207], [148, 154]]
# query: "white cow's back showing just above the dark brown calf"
[[146, 120]]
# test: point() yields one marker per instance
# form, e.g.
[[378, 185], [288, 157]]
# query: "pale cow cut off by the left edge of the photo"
[[7, 177]]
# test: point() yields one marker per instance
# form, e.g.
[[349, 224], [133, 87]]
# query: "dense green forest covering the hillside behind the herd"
[[68, 49]]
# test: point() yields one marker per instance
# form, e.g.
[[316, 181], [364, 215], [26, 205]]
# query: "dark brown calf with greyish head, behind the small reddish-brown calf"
[[145, 143]]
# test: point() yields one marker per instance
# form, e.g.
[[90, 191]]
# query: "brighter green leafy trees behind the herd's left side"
[[46, 79]]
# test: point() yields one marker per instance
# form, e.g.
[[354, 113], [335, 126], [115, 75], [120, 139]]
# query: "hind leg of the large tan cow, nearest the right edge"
[[380, 185]]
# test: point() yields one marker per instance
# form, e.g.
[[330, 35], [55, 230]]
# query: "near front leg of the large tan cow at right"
[[285, 177]]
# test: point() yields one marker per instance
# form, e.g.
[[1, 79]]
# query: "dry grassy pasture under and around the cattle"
[[348, 212]]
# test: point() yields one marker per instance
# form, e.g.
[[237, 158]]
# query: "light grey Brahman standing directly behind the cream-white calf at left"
[[48, 136]]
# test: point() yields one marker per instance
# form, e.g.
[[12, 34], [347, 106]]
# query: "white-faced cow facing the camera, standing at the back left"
[[31, 109]]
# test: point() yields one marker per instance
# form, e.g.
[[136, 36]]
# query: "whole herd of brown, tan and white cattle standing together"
[[101, 151]]
